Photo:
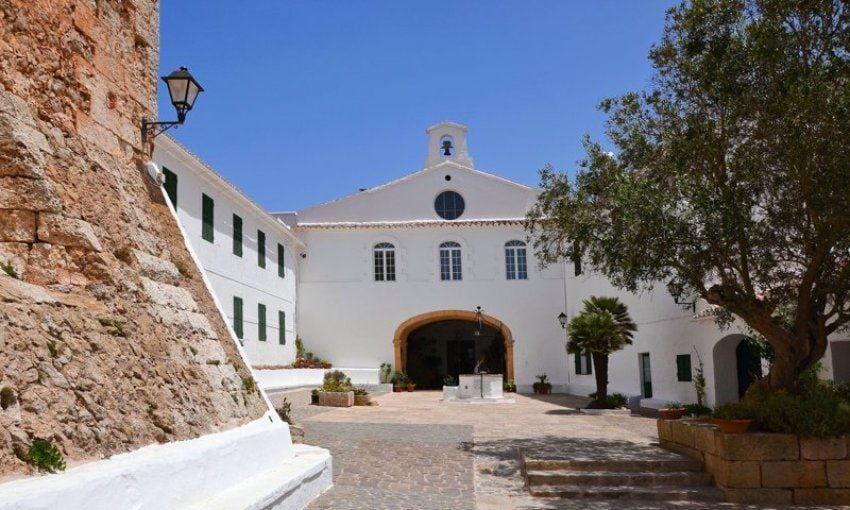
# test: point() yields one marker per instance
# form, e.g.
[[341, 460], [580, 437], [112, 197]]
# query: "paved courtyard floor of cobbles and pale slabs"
[[412, 451]]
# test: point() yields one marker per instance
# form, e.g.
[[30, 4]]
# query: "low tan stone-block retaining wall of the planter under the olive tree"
[[766, 468]]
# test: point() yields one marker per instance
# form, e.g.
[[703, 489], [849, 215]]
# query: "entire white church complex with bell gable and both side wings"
[[396, 274]]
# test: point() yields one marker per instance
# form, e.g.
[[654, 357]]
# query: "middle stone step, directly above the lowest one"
[[609, 478]]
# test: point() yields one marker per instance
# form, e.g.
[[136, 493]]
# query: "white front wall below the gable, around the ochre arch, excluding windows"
[[350, 319]]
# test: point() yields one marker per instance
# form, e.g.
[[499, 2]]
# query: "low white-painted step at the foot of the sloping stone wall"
[[289, 486]]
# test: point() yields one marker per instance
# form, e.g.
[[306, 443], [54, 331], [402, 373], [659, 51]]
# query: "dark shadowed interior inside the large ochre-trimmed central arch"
[[452, 347]]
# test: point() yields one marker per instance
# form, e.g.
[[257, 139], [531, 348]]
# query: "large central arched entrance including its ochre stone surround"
[[436, 343]]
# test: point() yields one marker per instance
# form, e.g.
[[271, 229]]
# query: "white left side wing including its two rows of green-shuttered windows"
[[250, 257]]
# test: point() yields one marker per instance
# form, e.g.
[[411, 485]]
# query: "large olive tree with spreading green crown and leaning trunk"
[[728, 178]]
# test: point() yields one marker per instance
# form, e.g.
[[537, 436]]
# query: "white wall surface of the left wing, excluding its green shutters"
[[230, 274]]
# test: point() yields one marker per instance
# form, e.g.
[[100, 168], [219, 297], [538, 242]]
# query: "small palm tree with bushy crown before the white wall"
[[602, 328]]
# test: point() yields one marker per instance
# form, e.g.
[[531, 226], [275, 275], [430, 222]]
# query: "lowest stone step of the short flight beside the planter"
[[629, 493]]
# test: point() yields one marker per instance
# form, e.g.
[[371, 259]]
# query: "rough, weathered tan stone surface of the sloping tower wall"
[[108, 338]]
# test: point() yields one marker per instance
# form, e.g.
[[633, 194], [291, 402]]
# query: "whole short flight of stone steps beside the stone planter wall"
[[649, 475]]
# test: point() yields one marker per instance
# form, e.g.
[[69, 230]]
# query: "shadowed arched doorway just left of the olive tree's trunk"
[[737, 363]]
